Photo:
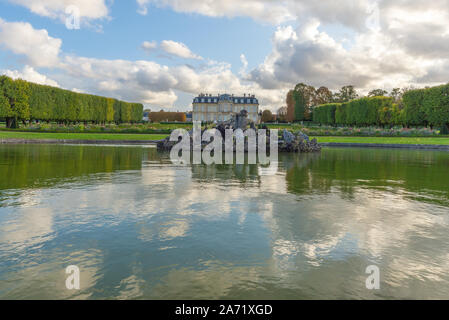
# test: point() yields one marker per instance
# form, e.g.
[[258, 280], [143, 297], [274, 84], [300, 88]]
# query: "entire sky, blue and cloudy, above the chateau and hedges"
[[162, 53]]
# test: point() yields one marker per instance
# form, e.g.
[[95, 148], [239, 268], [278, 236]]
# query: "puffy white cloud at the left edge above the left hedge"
[[37, 46]]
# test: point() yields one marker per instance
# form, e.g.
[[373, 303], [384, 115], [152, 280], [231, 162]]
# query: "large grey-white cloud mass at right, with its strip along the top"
[[393, 43]]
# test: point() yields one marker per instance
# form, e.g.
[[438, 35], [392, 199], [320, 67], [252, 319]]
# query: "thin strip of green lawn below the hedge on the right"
[[386, 140]]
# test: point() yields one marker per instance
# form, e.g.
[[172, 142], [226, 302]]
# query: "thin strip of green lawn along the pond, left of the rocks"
[[79, 136]]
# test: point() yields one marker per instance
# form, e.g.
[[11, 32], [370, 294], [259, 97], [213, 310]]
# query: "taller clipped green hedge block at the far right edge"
[[427, 106]]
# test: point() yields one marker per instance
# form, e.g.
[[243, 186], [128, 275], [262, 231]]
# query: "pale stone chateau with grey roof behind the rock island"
[[208, 108]]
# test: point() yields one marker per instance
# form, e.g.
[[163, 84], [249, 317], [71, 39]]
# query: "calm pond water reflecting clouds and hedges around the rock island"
[[139, 227]]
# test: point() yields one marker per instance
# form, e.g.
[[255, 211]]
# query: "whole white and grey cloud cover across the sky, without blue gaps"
[[405, 44]]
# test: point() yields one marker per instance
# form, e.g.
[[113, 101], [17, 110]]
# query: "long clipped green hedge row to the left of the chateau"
[[25, 101]]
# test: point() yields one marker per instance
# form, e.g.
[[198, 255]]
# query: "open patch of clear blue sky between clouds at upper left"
[[223, 39]]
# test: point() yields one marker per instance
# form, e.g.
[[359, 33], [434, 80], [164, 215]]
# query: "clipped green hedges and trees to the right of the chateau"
[[407, 107]]
